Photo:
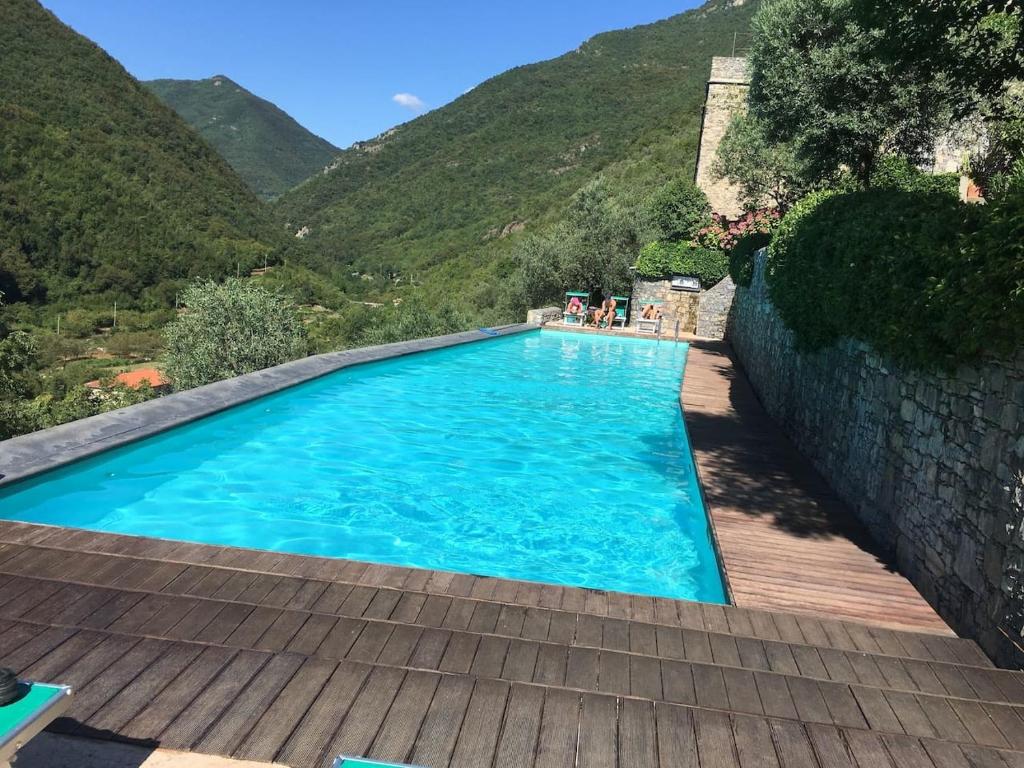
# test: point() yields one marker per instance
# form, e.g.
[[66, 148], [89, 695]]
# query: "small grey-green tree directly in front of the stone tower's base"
[[769, 175]]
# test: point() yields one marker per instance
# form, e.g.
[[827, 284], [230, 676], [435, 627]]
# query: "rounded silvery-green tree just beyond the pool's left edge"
[[229, 329]]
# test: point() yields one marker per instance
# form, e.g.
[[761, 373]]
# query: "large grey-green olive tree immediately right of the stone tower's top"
[[823, 78]]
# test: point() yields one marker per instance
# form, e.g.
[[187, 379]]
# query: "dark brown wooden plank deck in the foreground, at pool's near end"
[[270, 657]]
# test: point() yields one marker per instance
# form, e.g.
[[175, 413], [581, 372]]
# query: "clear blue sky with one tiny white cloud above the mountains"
[[337, 66]]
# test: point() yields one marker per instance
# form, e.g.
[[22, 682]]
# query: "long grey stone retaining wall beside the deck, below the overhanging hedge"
[[932, 463]]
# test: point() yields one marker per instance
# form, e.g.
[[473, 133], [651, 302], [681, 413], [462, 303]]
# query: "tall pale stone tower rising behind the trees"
[[728, 90]]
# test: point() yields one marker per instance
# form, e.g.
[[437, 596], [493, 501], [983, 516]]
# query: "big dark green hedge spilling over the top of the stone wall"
[[921, 277]]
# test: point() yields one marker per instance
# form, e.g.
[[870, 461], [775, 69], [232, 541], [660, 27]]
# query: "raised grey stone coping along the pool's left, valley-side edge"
[[35, 453]]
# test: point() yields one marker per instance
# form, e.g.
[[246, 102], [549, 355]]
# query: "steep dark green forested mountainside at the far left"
[[104, 190]]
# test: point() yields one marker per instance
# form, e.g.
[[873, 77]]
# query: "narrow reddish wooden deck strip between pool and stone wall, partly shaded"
[[787, 541]]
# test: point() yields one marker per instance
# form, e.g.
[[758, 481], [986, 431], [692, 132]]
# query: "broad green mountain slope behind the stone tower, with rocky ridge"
[[442, 194]]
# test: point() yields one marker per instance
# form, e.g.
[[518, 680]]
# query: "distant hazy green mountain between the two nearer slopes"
[[266, 147]]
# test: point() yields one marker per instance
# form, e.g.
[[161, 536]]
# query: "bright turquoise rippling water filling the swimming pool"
[[544, 456]]
